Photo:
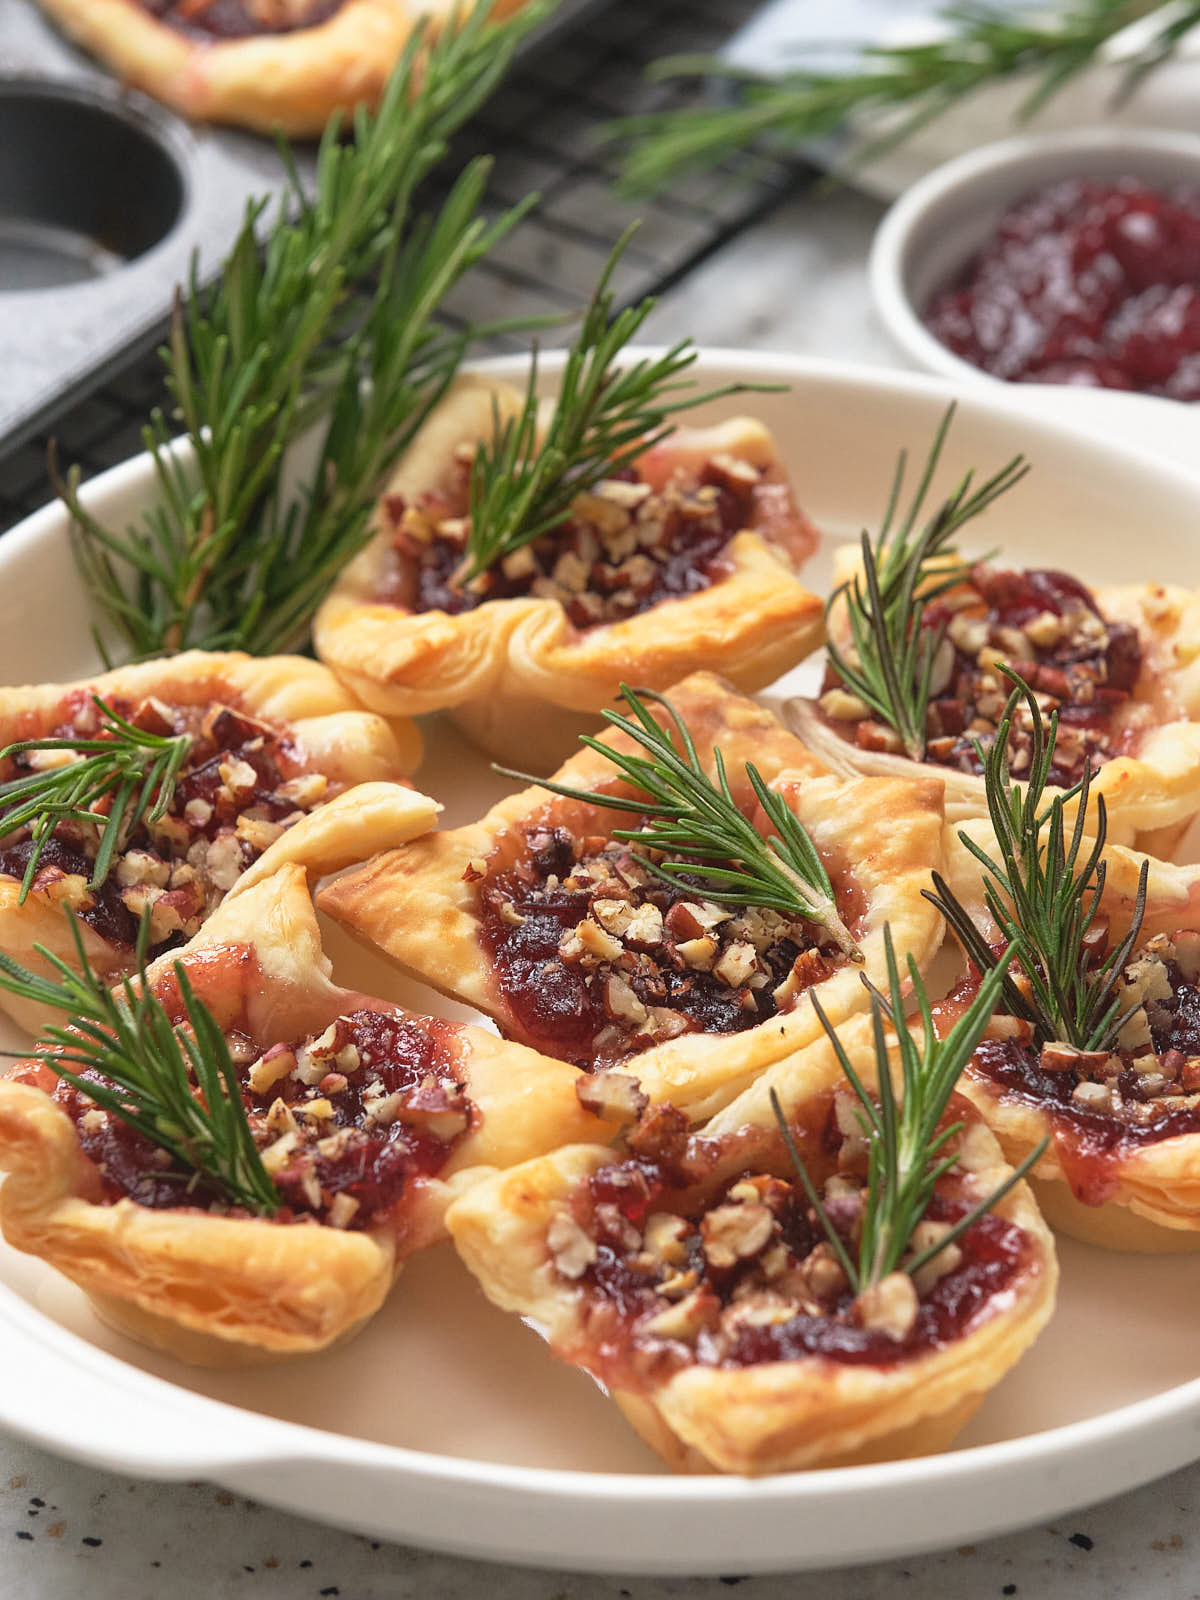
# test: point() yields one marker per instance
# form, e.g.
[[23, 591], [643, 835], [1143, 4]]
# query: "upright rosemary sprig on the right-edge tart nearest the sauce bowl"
[[894, 655]]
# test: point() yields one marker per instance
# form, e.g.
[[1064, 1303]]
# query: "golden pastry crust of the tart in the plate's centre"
[[415, 905]]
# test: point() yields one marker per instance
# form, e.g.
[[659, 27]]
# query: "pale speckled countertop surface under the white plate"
[[796, 282]]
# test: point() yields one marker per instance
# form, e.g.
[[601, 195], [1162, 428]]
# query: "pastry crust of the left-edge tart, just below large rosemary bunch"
[[361, 754]]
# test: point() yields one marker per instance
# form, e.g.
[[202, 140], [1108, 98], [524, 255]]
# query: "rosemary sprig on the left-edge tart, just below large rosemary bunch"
[[110, 783]]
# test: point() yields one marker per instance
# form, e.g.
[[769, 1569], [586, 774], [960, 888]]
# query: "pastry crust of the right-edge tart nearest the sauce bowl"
[[1150, 796]]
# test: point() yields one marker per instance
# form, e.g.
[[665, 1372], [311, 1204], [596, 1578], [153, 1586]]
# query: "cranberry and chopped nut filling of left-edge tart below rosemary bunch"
[[239, 790]]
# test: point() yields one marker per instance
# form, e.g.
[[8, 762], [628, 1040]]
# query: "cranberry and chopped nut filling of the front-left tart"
[[343, 1121]]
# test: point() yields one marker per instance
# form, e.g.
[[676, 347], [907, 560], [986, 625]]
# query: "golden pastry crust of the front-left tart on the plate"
[[223, 1290]]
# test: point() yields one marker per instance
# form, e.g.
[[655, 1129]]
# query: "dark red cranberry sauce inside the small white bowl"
[[1086, 282]]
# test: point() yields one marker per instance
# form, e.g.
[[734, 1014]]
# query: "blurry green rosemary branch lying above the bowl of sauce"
[[985, 44]]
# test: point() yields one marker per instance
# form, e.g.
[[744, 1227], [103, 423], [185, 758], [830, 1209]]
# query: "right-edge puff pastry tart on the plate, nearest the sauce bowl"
[[1118, 665]]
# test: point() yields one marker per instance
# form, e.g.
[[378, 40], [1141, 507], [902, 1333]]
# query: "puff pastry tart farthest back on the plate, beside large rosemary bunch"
[[684, 561]]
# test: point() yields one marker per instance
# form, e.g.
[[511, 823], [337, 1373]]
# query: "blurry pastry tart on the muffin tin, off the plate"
[[265, 65]]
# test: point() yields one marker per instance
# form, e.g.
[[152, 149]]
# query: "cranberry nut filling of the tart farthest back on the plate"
[[625, 548]]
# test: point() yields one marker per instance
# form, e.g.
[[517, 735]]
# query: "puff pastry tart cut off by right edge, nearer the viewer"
[[1124, 1162]]
